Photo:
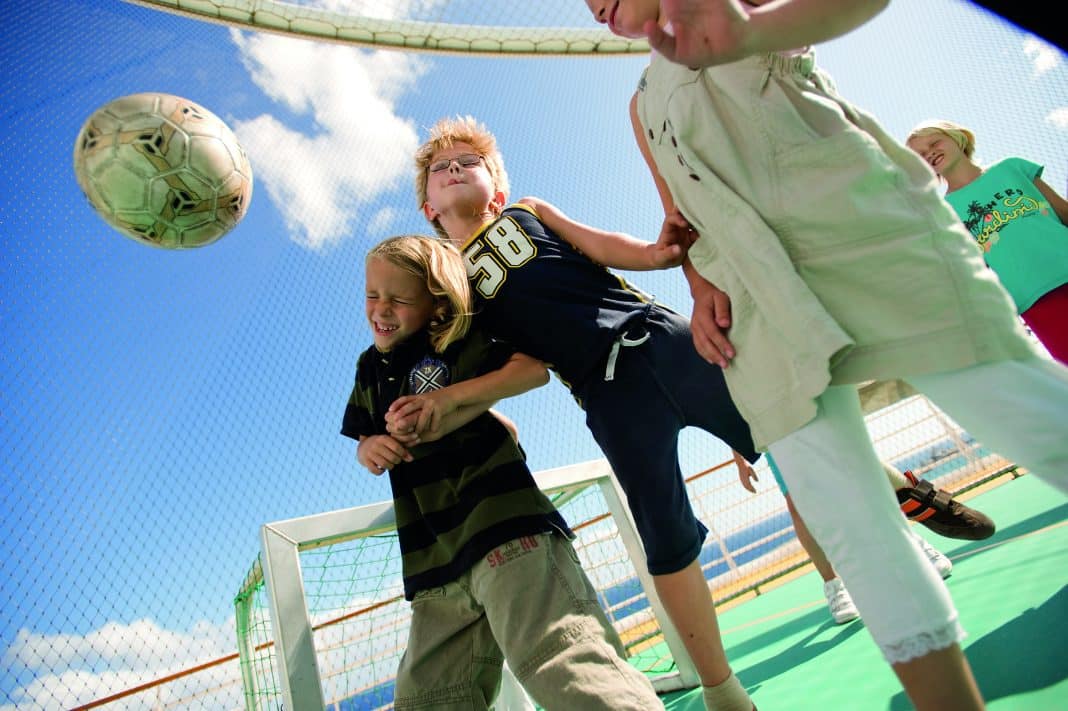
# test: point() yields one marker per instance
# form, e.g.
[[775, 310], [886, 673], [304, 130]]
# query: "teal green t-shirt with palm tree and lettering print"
[[1022, 238]]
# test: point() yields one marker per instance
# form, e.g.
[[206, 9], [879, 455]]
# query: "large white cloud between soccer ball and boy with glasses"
[[357, 148]]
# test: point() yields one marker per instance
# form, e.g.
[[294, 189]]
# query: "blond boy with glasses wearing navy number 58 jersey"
[[542, 286]]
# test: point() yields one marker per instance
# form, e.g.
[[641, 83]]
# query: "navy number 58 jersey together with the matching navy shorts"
[[551, 302]]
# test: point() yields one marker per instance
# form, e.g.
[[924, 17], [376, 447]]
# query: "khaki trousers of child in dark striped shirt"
[[528, 602]]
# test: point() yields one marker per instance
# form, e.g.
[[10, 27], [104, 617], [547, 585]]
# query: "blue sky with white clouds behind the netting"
[[158, 407]]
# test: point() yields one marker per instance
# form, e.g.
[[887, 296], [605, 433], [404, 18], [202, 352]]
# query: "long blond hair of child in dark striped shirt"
[[441, 267]]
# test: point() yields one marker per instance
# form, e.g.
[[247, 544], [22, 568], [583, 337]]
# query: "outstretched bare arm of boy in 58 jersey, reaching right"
[[616, 249]]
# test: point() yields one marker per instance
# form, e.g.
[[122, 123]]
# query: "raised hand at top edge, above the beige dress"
[[706, 33]]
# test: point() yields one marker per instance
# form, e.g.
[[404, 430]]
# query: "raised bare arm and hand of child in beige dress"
[[710, 33]]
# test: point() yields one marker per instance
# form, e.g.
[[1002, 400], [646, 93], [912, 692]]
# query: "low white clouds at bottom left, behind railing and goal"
[[64, 671]]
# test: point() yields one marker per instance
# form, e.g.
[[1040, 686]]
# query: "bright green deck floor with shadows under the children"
[[1012, 592]]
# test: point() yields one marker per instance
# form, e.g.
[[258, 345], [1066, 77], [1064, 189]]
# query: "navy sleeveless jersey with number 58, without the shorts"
[[546, 298]]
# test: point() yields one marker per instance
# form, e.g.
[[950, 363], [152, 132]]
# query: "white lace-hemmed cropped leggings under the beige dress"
[[1018, 409]]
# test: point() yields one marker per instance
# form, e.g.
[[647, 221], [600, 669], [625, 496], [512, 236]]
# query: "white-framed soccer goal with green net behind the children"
[[322, 618]]
